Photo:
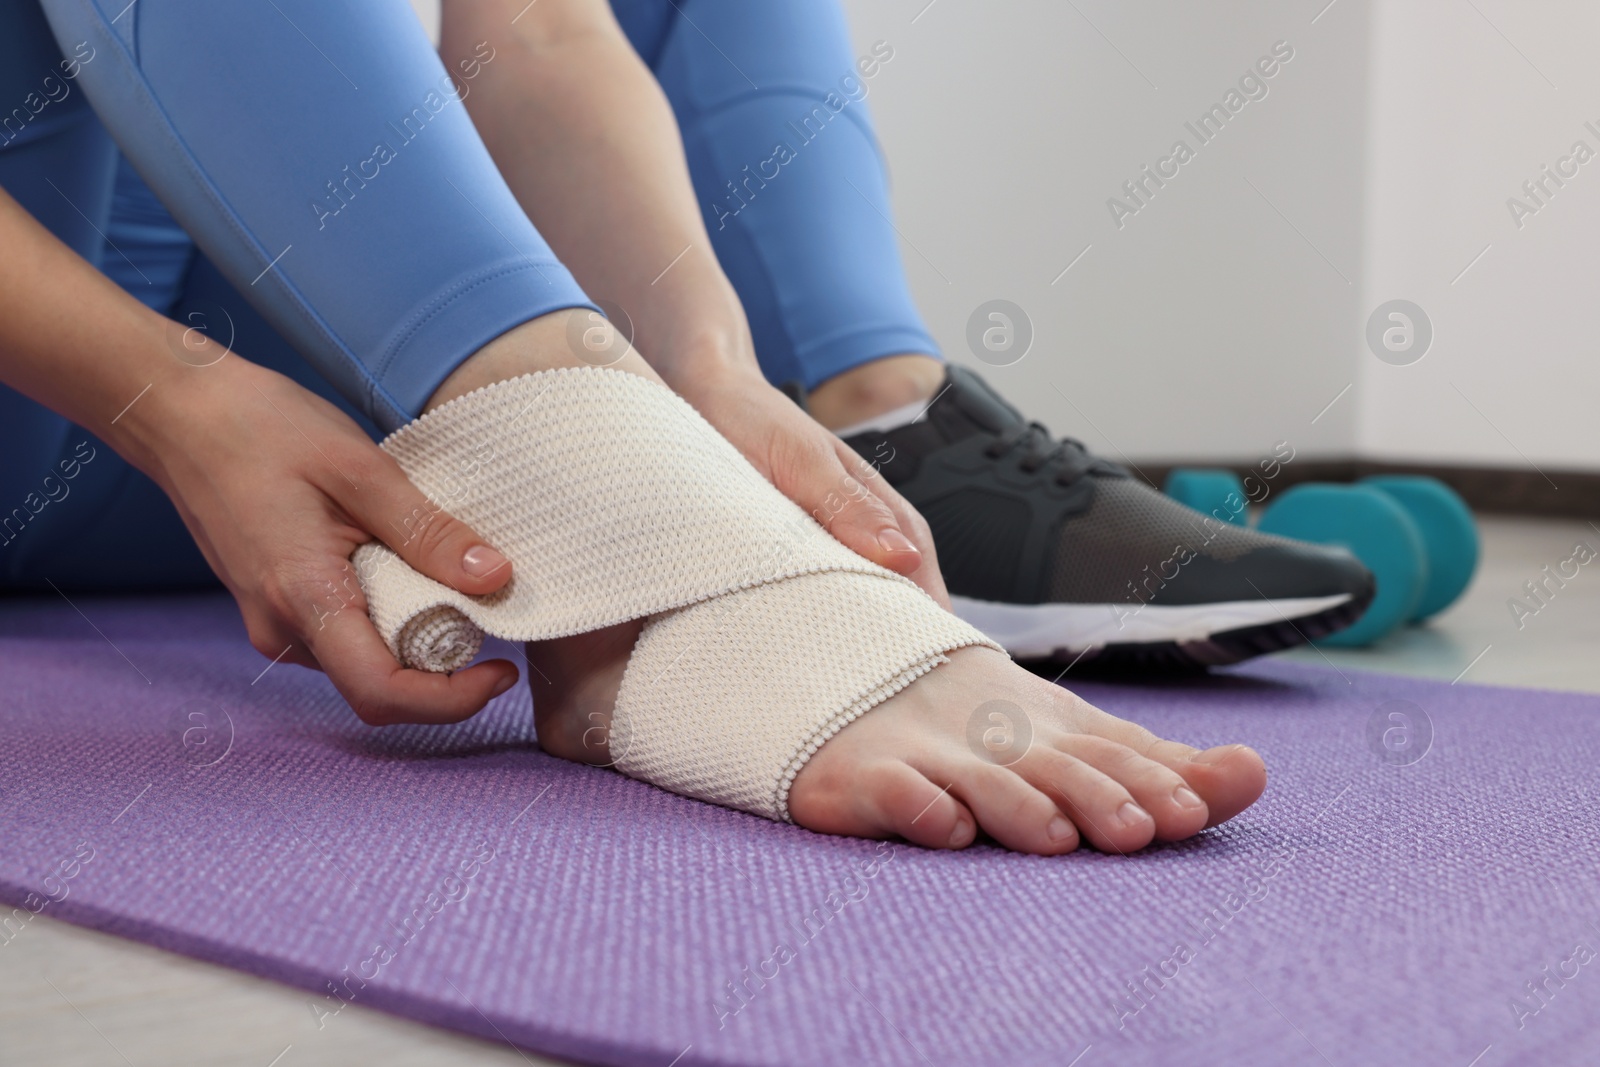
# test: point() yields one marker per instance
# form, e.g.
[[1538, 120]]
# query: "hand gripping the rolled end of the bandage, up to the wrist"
[[279, 489]]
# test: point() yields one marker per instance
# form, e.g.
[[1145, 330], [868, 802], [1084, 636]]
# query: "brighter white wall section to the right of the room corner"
[[1465, 113]]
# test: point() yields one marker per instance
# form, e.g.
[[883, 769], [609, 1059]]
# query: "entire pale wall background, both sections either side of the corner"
[[1209, 326]]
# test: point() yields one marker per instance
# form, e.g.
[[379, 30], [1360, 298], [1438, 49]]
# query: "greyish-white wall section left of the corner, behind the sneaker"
[[1209, 324]]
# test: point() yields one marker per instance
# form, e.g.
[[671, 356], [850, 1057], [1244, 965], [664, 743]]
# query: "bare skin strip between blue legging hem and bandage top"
[[574, 337]]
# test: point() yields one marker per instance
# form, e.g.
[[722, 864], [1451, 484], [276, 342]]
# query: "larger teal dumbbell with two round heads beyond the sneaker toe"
[[1414, 533]]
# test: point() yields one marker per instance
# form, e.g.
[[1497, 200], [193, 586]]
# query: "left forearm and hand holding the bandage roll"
[[276, 486]]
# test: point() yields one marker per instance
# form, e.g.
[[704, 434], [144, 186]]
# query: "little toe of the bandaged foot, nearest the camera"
[[882, 799]]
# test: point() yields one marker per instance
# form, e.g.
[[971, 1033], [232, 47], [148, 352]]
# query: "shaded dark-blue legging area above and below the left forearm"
[[81, 518]]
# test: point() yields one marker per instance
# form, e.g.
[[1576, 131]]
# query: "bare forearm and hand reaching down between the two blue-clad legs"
[[588, 143]]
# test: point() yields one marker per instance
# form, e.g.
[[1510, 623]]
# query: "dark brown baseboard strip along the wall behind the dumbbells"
[[1502, 490]]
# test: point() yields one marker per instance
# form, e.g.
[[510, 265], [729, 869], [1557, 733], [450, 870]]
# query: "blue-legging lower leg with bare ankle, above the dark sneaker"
[[772, 103]]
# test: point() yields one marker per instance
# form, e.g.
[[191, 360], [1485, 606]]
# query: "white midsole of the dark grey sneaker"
[[1038, 631]]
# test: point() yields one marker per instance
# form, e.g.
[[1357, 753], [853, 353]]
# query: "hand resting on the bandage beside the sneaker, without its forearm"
[[815, 470]]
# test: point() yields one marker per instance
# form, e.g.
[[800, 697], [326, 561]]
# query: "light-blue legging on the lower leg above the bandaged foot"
[[319, 223]]
